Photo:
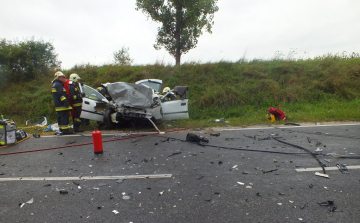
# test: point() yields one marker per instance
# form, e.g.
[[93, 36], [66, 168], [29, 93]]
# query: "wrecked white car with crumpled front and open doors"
[[138, 101]]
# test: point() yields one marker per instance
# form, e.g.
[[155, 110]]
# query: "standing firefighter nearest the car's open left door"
[[75, 96]]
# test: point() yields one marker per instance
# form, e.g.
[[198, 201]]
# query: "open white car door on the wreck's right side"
[[176, 109]]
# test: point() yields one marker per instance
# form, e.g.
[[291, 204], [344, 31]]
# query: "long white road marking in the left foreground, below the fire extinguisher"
[[86, 178]]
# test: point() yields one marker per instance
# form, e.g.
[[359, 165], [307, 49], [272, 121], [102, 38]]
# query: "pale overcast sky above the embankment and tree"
[[90, 31]]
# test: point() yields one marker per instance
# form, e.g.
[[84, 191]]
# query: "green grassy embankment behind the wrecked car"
[[314, 90]]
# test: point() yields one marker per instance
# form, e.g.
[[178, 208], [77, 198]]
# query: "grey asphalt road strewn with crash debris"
[[243, 175]]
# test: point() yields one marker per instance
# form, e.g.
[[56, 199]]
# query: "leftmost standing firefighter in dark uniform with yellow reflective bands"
[[61, 102]]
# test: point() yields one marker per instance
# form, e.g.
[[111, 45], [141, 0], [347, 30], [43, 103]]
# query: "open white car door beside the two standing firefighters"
[[93, 104]]
